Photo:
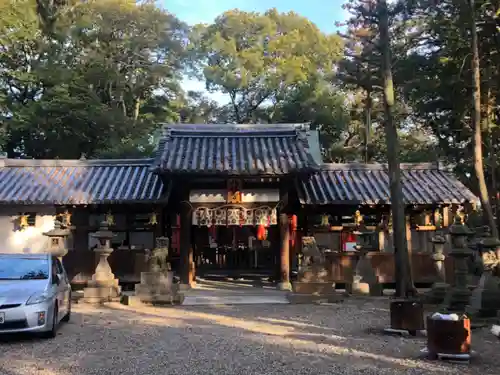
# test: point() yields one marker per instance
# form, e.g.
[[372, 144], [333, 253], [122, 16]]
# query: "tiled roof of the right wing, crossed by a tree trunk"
[[369, 184]]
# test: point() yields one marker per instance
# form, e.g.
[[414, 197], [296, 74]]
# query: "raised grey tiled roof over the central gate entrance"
[[273, 149]]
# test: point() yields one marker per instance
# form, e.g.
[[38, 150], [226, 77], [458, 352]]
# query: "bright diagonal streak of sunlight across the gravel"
[[332, 345]]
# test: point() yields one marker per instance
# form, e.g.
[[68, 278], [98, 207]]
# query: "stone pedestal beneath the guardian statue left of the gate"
[[158, 288]]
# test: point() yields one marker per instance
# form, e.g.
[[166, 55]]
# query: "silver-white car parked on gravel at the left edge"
[[35, 294]]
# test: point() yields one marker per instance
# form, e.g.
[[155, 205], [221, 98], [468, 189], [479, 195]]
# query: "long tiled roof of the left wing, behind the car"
[[78, 182]]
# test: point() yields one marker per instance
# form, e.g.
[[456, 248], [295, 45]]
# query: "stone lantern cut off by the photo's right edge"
[[485, 298]]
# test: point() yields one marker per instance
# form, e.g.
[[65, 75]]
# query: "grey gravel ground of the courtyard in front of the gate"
[[243, 339]]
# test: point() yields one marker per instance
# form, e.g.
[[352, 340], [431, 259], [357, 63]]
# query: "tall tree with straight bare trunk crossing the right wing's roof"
[[374, 19]]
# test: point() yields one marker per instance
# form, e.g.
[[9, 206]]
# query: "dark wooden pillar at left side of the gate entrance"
[[186, 248]]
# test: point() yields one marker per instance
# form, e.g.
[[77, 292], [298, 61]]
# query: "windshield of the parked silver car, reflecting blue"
[[23, 268]]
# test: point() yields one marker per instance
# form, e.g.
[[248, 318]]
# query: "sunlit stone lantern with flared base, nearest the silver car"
[[104, 286]]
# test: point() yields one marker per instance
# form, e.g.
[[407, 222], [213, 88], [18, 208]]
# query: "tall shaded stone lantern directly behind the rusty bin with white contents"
[[458, 295]]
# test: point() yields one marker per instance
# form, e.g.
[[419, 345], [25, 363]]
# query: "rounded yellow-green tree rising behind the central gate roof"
[[258, 58]]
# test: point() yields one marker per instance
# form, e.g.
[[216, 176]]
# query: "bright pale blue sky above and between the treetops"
[[324, 13]]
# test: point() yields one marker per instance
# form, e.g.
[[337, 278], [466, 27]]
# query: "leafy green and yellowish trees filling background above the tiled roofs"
[[99, 77]]
